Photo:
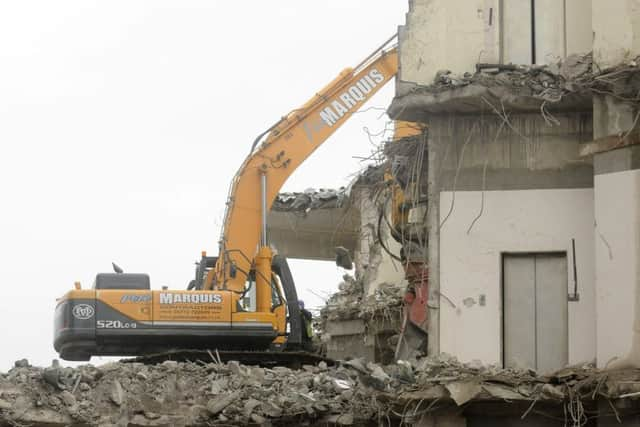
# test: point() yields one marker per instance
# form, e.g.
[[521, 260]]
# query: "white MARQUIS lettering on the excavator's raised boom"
[[341, 106]]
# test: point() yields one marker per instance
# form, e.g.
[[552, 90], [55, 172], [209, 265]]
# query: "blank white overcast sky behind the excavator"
[[122, 123]]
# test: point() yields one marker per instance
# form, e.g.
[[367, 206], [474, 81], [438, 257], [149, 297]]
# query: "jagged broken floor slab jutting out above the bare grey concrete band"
[[567, 85]]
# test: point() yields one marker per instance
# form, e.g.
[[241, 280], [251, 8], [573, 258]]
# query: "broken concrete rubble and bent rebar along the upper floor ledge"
[[569, 82]]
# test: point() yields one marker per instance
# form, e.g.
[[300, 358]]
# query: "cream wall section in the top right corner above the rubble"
[[616, 29]]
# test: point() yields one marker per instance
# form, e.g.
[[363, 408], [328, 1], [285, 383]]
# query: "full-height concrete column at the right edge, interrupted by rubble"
[[616, 28]]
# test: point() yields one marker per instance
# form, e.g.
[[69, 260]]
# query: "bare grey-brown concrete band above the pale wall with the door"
[[531, 155]]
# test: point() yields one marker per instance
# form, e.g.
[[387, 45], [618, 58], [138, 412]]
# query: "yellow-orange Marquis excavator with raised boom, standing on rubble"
[[244, 298]]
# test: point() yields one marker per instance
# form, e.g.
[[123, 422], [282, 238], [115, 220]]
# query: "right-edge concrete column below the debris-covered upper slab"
[[617, 235]]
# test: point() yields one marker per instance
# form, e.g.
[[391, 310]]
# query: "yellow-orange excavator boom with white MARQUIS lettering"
[[243, 243]]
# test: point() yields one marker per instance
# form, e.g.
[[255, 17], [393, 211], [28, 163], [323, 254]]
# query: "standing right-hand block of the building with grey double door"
[[531, 115]]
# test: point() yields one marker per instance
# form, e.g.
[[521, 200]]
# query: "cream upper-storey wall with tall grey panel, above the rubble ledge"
[[456, 34]]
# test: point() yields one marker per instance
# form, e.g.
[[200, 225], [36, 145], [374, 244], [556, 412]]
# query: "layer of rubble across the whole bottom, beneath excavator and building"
[[351, 393]]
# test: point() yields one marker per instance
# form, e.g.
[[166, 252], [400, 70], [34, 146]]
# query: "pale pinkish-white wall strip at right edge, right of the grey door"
[[617, 215]]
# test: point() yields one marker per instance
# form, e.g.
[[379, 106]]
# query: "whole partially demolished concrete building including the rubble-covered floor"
[[520, 205]]
